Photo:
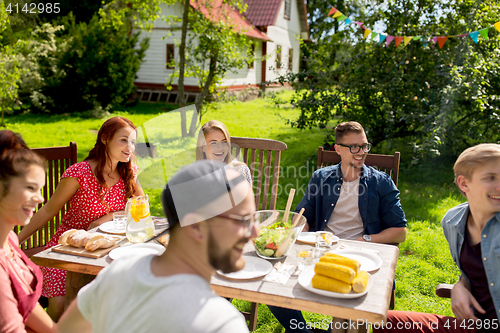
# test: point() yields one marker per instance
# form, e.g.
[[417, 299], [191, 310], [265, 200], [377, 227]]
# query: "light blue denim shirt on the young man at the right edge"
[[454, 223]]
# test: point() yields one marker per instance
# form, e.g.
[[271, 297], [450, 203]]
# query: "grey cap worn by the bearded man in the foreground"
[[195, 187]]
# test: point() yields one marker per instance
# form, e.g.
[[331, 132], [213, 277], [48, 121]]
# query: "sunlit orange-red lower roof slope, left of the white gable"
[[218, 12]]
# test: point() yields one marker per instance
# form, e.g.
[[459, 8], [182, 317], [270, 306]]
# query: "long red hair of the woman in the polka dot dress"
[[100, 154]]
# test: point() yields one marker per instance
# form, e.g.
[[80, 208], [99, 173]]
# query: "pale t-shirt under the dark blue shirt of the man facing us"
[[345, 221]]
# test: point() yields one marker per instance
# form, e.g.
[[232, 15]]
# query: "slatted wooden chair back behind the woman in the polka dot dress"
[[58, 160]]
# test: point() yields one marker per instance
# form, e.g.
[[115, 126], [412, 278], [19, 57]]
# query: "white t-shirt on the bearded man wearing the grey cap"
[[127, 297]]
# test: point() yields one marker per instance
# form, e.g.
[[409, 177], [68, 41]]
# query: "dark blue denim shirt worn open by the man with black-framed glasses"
[[378, 202]]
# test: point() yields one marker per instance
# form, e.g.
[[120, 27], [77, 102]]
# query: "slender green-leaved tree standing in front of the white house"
[[216, 46]]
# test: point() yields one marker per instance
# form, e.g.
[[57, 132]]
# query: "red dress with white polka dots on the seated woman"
[[85, 207]]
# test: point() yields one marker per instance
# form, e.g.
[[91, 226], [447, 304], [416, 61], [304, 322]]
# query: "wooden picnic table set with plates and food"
[[371, 307]]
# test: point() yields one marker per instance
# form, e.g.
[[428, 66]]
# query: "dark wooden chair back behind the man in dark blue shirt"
[[387, 163]]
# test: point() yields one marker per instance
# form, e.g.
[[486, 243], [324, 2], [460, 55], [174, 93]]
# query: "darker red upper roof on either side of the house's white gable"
[[263, 13]]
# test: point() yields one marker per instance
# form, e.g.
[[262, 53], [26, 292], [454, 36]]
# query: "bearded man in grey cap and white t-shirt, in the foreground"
[[210, 208]]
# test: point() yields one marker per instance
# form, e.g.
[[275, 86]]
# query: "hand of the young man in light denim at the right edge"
[[463, 303]]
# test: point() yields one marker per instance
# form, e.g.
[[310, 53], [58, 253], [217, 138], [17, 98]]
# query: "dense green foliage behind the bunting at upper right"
[[438, 100]]
